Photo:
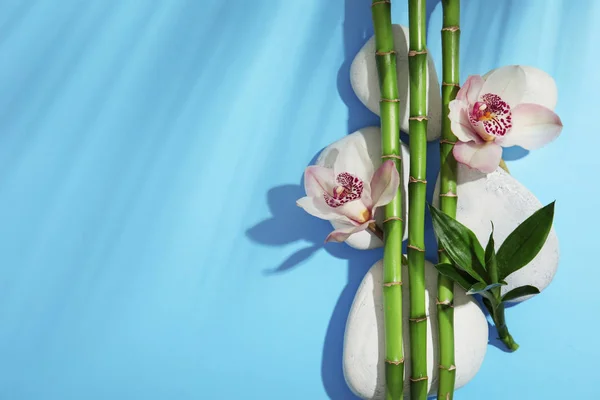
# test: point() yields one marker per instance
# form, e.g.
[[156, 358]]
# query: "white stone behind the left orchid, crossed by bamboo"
[[368, 138]]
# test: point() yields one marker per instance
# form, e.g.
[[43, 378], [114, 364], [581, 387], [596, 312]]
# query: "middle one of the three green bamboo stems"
[[417, 63]]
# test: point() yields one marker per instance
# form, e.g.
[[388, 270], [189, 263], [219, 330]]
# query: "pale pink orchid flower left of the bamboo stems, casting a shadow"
[[346, 198]]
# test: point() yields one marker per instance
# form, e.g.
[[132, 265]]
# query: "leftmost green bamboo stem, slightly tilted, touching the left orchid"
[[393, 225]]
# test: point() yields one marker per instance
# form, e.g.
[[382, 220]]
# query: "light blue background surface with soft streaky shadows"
[[150, 156]]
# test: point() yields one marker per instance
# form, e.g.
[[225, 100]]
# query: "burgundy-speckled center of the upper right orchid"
[[491, 117]]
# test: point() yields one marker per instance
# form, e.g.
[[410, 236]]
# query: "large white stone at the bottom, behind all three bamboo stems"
[[364, 348]]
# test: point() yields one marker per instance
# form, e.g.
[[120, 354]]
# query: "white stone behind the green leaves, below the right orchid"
[[500, 198]]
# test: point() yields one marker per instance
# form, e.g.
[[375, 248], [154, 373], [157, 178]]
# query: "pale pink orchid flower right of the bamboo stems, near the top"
[[488, 115]]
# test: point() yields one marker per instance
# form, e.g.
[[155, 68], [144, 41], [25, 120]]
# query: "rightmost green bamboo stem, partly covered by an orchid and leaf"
[[448, 194]]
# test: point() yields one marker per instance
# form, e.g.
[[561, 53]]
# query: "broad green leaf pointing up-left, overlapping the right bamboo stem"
[[460, 244]]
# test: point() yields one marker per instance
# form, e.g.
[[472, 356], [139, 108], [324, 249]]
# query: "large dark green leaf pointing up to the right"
[[525, 242]]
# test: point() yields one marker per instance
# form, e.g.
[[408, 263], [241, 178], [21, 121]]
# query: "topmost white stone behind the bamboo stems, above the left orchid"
[[364, 81]]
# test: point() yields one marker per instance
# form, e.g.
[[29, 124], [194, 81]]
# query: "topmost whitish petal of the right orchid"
[[507, 82]]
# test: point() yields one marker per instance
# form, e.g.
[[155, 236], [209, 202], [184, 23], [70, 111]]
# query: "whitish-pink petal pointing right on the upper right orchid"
[[533, 127]]
